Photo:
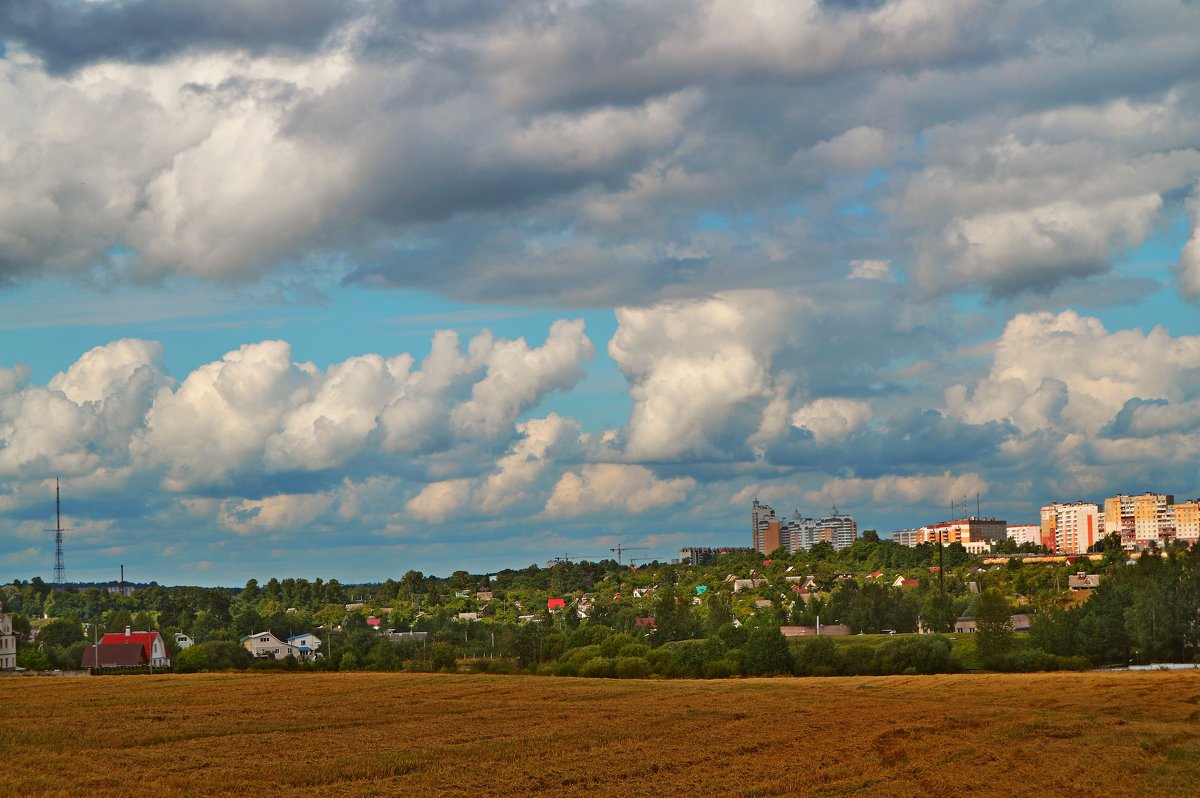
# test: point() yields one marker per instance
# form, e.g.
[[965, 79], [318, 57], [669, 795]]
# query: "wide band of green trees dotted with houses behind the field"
[[718, 620]]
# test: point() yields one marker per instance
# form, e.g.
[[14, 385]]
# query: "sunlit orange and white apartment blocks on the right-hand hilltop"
[[1142, 521]]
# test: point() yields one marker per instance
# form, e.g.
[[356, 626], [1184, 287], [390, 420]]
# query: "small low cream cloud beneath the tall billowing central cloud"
[[615, 488]]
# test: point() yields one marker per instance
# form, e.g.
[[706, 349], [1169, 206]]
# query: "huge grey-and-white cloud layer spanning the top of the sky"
[[561, 154]]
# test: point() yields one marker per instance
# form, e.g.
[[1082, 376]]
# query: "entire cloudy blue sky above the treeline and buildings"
[[343, 289]]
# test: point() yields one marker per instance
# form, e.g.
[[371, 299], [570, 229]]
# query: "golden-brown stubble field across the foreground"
[[425, 735]]
